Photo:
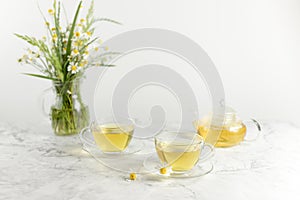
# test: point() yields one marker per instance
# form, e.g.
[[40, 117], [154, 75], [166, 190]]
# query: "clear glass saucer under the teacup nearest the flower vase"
[[90, 145]]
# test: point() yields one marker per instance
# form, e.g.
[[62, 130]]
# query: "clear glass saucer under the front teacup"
[[153, 165]]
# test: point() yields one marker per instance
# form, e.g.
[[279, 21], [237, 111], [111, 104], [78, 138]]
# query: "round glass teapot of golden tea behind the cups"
[[232, 132]]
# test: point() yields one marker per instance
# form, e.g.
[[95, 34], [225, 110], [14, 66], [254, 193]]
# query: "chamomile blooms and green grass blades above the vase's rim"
[[62, 54]]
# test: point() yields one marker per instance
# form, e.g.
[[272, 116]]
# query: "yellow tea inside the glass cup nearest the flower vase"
[[113, 137]]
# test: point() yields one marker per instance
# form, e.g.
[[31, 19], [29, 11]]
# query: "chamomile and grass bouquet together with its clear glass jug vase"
[[62, 56]]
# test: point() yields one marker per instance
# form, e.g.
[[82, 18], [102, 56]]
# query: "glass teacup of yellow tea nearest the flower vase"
[[112, 135]]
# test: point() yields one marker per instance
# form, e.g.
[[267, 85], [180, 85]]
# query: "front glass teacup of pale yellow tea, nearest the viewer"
[[179, 150]]
